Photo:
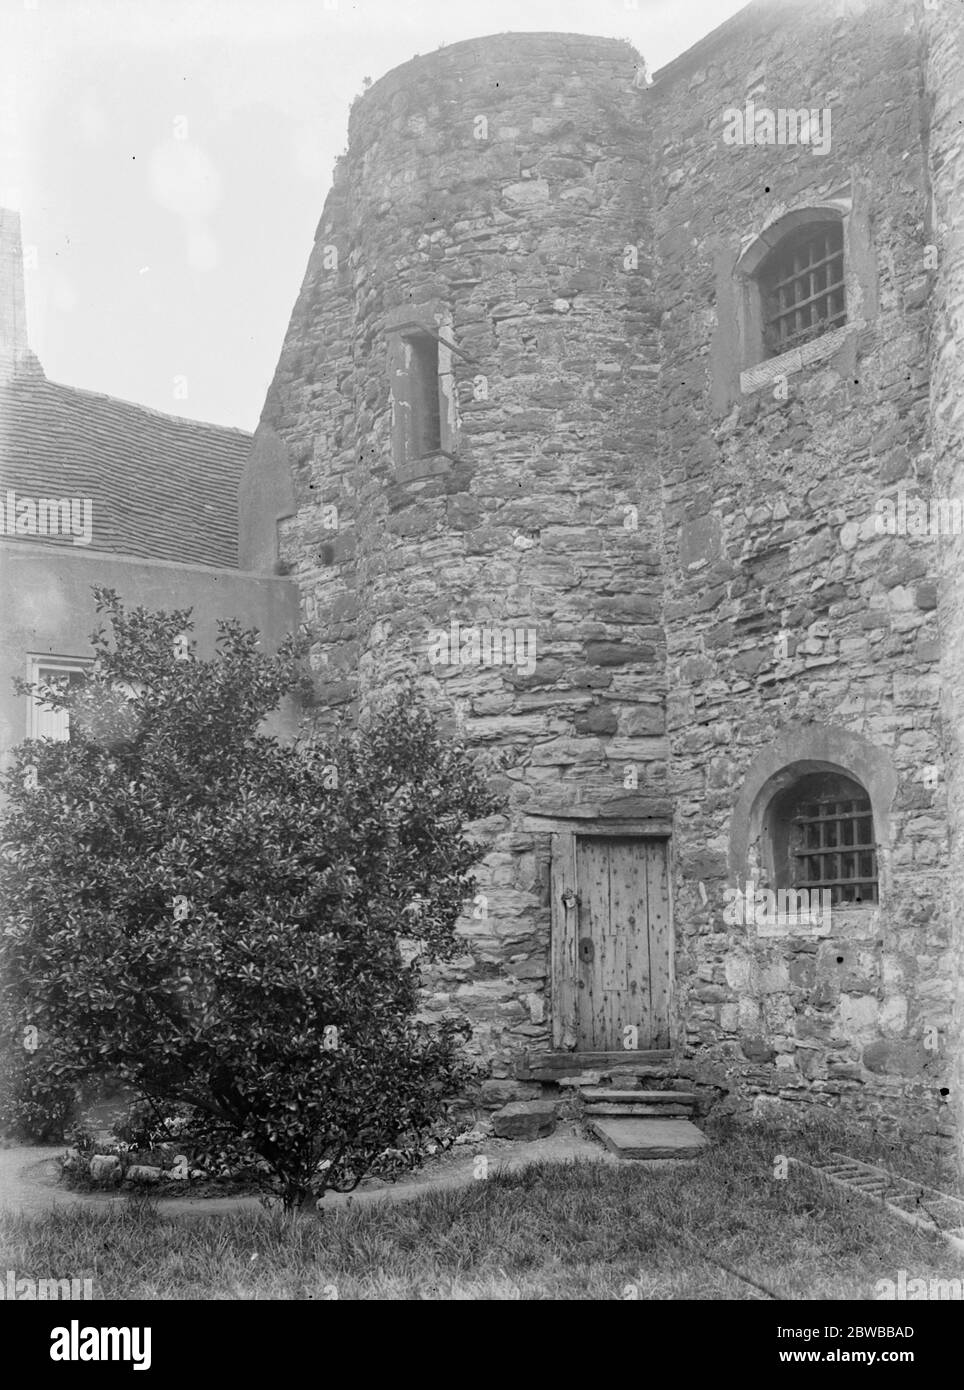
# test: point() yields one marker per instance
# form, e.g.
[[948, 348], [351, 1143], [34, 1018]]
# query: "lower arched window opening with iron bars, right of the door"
[[822, 837]]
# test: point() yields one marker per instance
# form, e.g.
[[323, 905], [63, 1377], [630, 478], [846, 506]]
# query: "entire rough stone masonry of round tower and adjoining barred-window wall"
[[688, 534]]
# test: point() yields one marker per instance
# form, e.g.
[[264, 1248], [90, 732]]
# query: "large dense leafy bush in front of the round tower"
[[217, 919]]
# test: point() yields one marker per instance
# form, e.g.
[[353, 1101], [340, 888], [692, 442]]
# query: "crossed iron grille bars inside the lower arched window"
[[833, 847]]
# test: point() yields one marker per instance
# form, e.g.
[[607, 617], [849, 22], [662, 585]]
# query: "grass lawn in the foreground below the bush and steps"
[[581, 1231]]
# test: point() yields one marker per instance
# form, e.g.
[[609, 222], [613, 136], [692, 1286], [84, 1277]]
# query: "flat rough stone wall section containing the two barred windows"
[[795, 630]]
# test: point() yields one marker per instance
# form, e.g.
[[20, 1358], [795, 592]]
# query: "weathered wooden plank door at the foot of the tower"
[[623, 940]]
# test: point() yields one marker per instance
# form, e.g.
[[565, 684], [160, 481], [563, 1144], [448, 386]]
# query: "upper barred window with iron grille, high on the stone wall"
[[802, 287]]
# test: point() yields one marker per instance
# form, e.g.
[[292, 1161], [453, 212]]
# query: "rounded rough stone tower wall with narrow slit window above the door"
[[495, 193]]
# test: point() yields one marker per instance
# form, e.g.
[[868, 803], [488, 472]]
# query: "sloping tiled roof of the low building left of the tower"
[[160, 487]]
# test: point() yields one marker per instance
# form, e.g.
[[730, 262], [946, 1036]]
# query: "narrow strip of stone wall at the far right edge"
[[942, 35]]
